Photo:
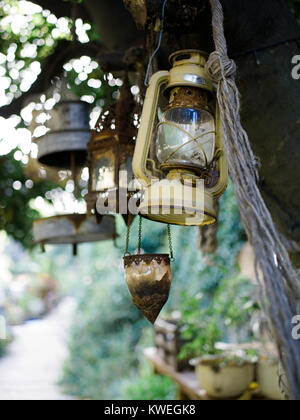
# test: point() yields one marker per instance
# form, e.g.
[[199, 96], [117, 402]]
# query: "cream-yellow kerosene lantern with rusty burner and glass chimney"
[[185, 126]]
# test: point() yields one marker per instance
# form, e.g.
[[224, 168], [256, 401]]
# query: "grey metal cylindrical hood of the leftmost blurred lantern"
[[69, 134]]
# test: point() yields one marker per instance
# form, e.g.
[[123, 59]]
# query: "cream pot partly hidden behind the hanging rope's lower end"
[[268, 380]]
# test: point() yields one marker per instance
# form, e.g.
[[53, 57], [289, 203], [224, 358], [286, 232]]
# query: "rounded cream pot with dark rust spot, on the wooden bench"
[[228, 381]]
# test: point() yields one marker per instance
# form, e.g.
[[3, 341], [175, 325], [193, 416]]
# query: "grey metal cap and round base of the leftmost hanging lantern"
[[64, 146]]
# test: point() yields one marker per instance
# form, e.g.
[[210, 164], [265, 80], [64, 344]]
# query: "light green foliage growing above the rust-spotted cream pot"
[[227, 314]]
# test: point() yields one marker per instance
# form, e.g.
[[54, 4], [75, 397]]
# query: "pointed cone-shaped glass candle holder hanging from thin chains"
[[148, 277]]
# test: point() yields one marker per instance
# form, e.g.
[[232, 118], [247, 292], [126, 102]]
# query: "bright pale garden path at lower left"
[[33, 365]]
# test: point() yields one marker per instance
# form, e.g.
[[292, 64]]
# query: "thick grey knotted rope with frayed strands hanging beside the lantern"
[[280, 287]]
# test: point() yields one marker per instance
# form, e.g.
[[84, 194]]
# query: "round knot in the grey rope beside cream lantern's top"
[[220, 67]]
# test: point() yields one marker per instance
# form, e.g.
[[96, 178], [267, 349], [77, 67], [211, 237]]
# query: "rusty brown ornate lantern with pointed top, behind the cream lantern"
[[110, 153]]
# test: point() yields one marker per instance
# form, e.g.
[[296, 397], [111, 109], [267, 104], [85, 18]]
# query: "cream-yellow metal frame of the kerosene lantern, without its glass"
[[188, 72]]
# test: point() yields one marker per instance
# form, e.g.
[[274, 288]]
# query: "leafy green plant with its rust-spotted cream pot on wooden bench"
[[223, 374]]
